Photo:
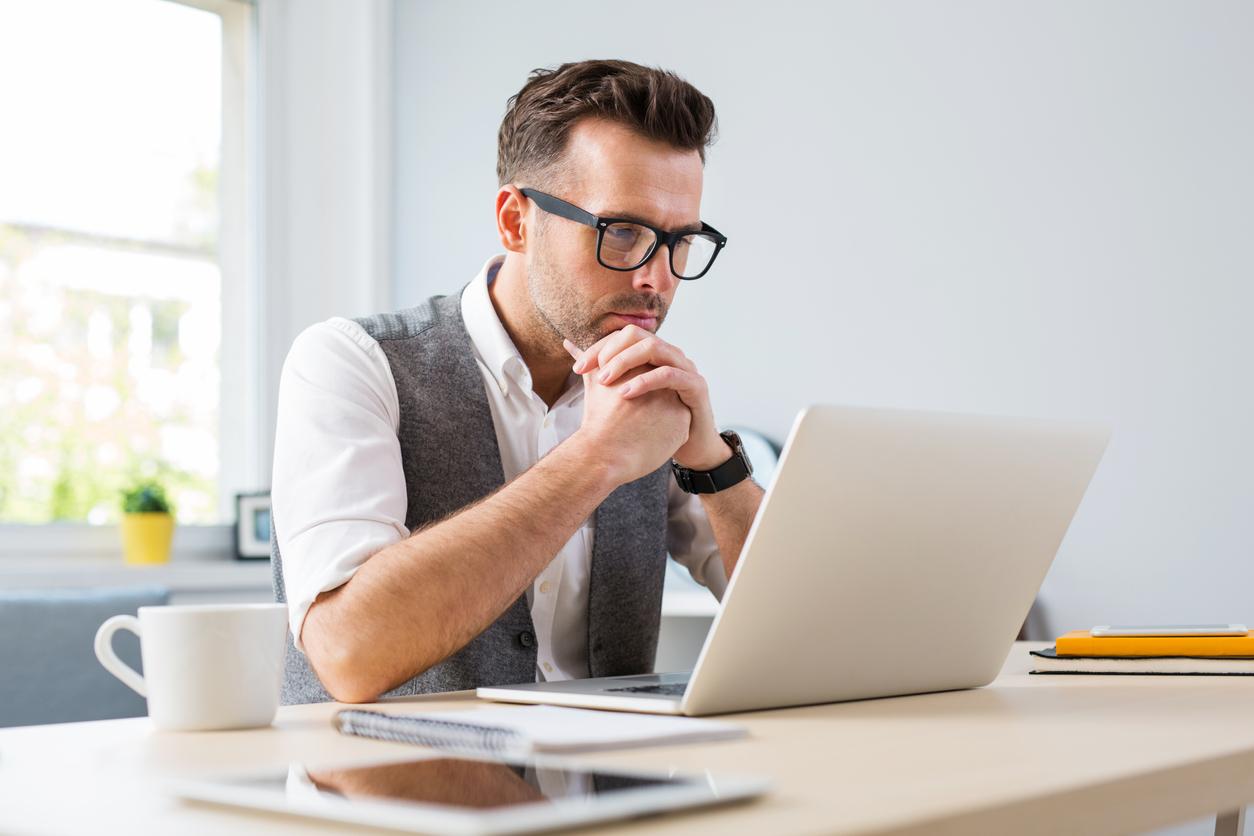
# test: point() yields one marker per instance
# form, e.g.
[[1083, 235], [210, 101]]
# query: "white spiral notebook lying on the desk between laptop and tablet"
[[524, 731]]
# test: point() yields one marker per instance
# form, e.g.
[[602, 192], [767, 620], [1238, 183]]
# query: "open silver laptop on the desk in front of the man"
[[895, 553]]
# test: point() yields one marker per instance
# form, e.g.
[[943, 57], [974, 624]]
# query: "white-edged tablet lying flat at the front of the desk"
[[455, 794]]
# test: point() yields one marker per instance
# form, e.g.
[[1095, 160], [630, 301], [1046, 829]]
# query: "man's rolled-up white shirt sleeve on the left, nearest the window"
[[338, 487]]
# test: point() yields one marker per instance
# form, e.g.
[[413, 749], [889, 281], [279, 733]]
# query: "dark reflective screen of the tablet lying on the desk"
[[456, 783]]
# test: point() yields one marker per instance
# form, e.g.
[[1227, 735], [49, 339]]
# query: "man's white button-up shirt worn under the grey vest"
[[339, 491]]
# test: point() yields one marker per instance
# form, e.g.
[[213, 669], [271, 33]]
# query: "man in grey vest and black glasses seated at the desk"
[[480, 491]]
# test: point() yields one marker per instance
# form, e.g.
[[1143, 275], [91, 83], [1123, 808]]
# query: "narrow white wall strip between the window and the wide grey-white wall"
[[325, 192]]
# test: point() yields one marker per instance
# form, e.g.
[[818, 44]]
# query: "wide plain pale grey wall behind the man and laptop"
[[996, 207]]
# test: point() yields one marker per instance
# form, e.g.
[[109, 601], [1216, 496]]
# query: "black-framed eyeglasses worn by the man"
[[628, 245]]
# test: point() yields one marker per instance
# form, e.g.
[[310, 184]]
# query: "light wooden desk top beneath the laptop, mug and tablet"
[[1026, 755]]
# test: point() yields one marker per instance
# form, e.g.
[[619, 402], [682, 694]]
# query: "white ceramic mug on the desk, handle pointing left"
[[210, 666]]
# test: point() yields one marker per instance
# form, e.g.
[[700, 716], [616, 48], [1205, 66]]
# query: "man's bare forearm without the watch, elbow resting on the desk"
[[419, 601]]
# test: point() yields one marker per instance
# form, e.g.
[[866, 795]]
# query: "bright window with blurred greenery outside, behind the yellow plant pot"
[[124, 239]]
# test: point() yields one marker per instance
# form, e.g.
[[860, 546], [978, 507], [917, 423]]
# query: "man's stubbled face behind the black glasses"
[[611, 172]]
